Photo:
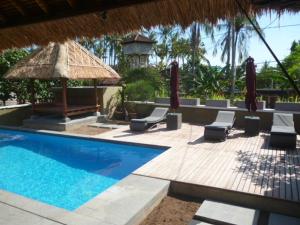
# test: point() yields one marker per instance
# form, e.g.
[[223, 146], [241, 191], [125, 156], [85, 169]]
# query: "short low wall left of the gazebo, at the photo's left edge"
[[14, 115]]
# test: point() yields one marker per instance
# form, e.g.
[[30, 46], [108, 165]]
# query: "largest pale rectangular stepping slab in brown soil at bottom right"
[[225, 214]]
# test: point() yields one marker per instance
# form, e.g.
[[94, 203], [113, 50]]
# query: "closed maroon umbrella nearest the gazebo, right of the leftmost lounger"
[[174, 85]]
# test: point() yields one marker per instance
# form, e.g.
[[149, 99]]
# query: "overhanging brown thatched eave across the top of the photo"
[[26, 22]]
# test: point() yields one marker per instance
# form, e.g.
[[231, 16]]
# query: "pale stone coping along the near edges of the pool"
[[127, 202]]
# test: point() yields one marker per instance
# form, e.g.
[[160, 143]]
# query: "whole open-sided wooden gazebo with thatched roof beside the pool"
[[67, 61]]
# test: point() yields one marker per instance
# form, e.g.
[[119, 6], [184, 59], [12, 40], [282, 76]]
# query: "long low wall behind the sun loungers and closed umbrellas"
[[205, 115]]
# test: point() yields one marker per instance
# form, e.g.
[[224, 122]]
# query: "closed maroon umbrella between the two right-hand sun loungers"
[[250, 100]]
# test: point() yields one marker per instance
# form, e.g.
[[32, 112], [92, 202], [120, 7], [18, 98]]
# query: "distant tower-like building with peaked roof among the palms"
[[138, 48]]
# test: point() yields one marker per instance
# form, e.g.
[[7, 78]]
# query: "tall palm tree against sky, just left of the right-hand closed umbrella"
[[235, 41]]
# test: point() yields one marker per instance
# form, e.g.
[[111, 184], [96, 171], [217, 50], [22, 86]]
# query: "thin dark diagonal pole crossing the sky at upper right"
[[285, 73]]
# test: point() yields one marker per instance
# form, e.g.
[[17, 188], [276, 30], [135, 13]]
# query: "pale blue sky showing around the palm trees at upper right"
[[281, 32]]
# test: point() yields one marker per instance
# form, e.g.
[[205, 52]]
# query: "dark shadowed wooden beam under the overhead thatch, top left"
[[88, 7]]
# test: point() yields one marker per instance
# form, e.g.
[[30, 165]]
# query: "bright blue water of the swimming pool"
[[62, 171]]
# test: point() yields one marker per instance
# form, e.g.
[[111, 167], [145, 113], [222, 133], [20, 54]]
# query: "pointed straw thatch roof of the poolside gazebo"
[[69, 60]]
